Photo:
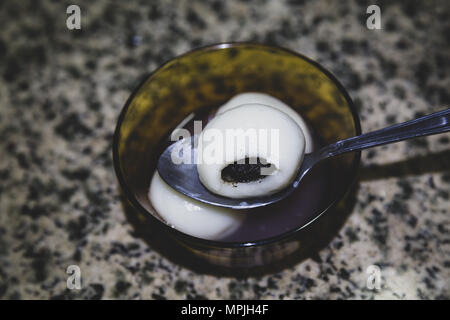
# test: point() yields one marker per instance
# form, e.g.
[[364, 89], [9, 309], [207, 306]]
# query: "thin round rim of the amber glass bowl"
[[223, 244]]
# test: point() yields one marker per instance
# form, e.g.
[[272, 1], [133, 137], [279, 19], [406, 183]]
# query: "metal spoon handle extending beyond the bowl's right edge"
[[434, 123]]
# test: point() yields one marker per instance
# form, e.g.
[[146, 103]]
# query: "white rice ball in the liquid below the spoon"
[[191, 216]]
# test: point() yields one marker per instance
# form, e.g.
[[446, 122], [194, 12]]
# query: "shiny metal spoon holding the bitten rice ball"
[[184, 177]]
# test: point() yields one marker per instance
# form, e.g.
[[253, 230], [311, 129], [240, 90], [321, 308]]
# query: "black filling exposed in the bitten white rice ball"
[[244, 172]]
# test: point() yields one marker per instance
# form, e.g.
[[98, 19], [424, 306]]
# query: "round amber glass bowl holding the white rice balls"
[[210, 76]]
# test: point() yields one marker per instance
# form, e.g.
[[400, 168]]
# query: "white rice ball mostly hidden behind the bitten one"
[[262, 98]]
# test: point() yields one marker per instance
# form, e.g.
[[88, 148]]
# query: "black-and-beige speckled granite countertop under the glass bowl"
[[60, 95]]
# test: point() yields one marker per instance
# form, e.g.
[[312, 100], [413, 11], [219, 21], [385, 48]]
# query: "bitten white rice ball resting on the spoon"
[[283, 147]]
